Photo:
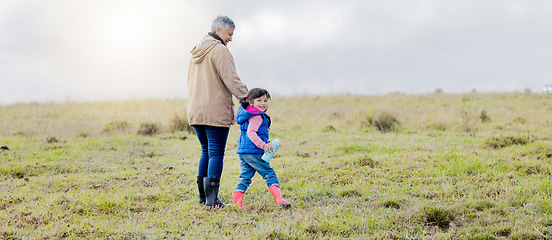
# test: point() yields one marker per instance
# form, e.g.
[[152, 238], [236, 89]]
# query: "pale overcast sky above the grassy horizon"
[[94, 50]]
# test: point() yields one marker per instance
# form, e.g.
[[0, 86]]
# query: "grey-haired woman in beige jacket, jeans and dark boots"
[[212, 80]]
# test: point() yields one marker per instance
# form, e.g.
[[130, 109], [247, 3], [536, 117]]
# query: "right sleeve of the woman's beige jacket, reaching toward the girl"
[[224, 63]]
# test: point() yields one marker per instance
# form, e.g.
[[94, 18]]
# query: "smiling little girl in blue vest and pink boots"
[[253, 142]]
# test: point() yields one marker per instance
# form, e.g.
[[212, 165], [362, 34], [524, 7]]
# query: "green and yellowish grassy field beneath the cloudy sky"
[[438, 166]]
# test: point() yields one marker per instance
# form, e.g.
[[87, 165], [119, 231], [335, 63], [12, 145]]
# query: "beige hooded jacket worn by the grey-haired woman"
[[212, 80]]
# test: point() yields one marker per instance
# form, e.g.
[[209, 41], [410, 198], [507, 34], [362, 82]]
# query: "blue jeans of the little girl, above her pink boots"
[[251, 163]]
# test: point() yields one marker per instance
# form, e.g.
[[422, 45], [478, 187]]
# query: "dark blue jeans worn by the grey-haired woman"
[[213, 144]]
